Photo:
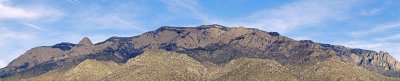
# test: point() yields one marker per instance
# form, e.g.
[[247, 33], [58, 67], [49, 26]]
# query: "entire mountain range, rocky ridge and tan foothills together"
[[202, 53]]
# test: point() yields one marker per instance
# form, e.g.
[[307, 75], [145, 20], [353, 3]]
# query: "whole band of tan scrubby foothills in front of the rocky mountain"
[[168, 66]]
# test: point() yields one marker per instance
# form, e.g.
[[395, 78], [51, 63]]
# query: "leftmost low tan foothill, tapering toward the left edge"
[[88, 70]]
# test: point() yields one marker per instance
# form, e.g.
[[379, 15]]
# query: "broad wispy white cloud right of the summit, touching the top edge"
[[302, 13]]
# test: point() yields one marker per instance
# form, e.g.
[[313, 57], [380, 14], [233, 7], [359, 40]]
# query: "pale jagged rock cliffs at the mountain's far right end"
[[374, 61]]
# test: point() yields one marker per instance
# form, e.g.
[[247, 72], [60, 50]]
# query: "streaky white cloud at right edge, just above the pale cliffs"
[[388, 43]]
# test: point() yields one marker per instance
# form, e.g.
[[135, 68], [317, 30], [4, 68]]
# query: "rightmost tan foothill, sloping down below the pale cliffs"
[[335, 70]]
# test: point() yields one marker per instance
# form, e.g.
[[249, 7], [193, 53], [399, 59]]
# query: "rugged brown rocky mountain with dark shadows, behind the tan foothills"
[[214, 44]]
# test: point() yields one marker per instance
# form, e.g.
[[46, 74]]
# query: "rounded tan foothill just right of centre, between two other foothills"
[[250, 69]]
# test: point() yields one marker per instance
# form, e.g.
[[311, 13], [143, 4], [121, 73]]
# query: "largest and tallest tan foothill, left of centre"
[[159, 65]]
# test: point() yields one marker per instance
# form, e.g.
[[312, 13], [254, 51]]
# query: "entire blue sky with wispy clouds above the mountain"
[[367, 24]]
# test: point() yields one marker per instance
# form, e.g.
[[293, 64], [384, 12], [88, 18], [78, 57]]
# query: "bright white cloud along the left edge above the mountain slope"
[[15, 41]]
